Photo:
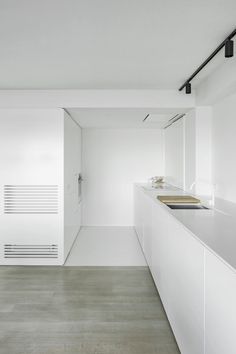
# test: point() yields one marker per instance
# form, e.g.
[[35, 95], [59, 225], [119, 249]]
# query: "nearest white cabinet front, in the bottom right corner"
[[220, 311]]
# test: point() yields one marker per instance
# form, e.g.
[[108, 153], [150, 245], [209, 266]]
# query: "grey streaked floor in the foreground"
[[86, 310]]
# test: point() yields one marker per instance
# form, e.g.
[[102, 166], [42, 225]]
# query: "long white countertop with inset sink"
[[214, 228]]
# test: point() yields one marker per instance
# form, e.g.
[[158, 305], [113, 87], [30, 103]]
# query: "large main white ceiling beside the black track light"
[[143, 44]]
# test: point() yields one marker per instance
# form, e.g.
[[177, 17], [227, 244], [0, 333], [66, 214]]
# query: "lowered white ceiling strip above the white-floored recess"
[[122, 118]]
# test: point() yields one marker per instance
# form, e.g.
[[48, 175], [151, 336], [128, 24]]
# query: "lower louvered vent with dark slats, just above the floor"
[[30, 251]]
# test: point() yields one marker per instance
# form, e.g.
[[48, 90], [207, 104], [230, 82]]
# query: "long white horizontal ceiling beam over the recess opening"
[[95, 99]]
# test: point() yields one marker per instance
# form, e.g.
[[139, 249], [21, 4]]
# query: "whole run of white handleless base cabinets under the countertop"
[[197, 289]]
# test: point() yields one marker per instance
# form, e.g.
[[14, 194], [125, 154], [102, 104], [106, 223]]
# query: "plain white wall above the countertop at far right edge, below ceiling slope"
[[224, 148]]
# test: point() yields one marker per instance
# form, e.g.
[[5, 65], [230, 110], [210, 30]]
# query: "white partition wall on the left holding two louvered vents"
[[32, 186]]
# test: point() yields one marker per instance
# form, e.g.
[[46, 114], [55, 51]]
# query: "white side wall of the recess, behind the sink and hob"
[[188, 151]]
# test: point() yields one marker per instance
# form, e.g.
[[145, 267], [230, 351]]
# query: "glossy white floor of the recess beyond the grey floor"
[[106, 246]]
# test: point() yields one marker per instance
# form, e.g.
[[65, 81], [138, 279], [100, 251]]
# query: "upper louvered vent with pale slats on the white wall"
[[30, 199]]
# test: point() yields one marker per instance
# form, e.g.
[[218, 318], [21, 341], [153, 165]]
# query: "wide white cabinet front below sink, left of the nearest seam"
[[178, 271]]
